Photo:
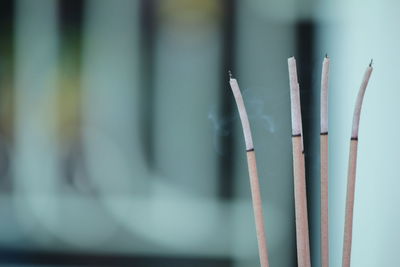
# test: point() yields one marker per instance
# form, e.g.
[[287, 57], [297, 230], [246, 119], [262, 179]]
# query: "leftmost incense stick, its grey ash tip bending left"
[[253, 174]]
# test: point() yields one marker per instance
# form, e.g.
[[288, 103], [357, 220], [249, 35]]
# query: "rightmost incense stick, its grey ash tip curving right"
[[351, 175]]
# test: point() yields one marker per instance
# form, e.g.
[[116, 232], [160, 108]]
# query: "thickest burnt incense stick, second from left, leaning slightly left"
[[302, 235]]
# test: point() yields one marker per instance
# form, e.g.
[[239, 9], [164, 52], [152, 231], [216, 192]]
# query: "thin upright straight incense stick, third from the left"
[[324, 163]]
